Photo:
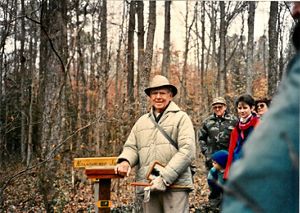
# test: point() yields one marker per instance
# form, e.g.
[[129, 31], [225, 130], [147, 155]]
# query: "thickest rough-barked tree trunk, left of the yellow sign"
[[53, 55]]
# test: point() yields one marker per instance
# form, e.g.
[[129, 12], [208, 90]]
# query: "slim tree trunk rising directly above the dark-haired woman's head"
[[250, 46]]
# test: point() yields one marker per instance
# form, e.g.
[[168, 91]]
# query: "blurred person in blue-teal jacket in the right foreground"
[[266, 178]]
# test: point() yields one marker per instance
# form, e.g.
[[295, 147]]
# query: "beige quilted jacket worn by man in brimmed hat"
[[146, 144]]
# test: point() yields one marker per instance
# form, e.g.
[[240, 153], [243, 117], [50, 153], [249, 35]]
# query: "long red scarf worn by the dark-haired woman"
[[234, 136]]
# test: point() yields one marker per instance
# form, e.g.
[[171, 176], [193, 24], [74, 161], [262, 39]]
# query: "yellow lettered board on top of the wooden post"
[[95, 161]]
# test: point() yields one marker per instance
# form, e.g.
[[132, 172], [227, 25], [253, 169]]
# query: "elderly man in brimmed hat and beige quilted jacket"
[[150, 141]]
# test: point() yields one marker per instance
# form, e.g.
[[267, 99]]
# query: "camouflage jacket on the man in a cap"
[[215, 133]]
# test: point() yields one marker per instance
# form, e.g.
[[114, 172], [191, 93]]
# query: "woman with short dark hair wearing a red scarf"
[[245, 105]]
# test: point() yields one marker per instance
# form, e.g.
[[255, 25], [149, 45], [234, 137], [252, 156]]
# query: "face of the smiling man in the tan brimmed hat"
[[160, 98]]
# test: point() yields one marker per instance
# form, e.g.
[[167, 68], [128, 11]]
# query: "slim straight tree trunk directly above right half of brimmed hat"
[[167, 31]]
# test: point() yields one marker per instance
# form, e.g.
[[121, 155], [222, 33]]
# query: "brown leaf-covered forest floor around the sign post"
[[23, 194]]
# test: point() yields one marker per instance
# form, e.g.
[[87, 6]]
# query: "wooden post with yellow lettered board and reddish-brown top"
[[102, 170]]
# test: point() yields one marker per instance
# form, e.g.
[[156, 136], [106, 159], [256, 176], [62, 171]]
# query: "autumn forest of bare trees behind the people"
[[73, 73]]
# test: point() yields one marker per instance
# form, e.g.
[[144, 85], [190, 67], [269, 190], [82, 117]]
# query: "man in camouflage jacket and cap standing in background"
[[215, 132]]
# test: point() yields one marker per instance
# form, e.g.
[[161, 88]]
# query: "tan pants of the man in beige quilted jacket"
[[167, 202]]
